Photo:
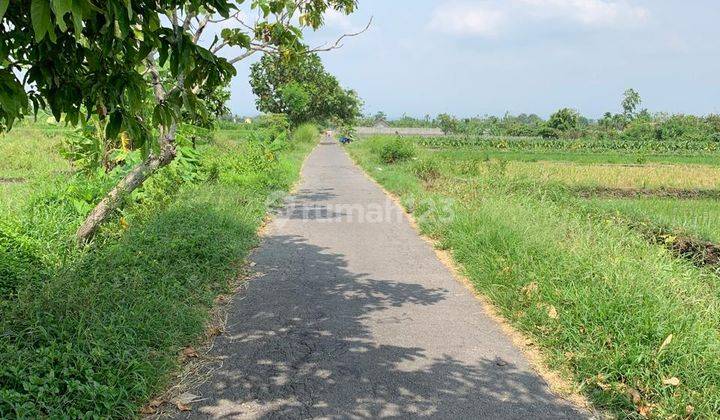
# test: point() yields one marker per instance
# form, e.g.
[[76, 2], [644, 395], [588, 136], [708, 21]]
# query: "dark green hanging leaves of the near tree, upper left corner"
[[89, 58]]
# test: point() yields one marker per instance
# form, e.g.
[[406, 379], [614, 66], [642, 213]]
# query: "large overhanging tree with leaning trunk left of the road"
[[85, 58]]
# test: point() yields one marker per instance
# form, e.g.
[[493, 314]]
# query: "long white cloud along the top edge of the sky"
[[492, 18]]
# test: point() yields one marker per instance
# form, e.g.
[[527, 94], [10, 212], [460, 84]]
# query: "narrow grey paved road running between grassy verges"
[[353, 316]]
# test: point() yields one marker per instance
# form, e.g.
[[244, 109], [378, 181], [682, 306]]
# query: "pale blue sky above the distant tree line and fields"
[[475, 57]]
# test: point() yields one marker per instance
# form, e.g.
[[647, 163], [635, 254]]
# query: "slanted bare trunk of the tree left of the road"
[[127, 185]]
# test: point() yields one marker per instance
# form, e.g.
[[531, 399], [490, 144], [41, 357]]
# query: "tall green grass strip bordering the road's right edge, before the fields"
[[624, 317]]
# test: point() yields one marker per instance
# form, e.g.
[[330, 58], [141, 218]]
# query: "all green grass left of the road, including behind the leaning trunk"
[[96, 332]]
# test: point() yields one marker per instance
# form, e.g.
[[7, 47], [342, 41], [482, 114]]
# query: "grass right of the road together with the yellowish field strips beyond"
[[635, 326]]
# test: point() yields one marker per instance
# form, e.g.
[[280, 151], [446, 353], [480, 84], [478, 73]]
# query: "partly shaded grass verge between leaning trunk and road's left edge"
[[97, 334]]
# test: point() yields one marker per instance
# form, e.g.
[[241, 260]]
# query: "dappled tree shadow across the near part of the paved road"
[[298, 345]]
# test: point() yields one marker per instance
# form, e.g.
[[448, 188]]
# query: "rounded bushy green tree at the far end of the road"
[[300, 87]]
